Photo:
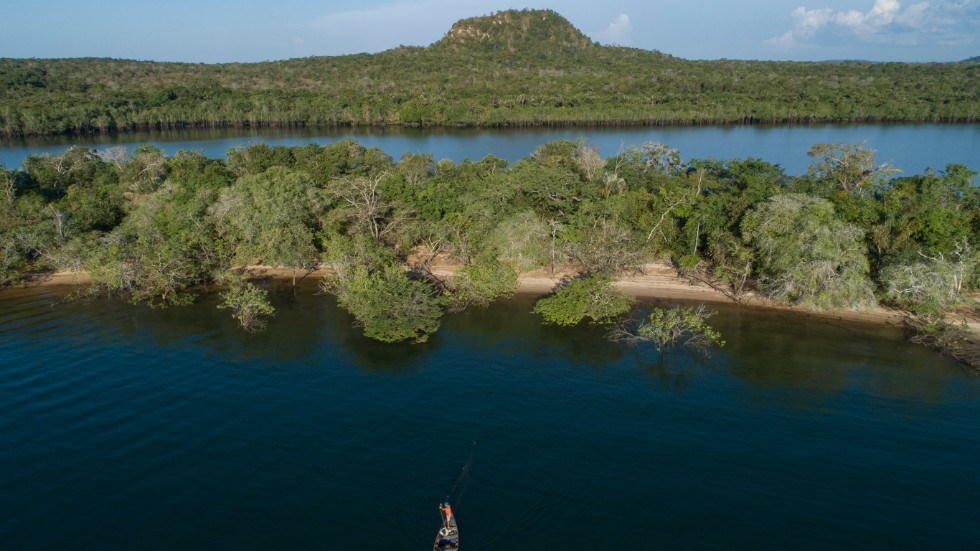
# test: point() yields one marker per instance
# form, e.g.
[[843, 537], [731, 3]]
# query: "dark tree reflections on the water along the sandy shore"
[[766, 349]]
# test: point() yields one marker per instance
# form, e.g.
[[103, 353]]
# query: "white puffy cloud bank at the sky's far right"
[[886, 22]]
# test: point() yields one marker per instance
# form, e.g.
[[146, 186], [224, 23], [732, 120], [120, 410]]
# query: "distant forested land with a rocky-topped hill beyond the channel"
[[513, 68]]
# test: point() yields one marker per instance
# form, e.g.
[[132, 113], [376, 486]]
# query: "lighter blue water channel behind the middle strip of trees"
[[912, 147]]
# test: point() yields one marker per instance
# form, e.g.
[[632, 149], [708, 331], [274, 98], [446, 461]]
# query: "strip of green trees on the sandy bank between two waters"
[[849, 234]]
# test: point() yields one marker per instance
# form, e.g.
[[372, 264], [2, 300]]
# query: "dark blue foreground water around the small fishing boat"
[[124, 427]]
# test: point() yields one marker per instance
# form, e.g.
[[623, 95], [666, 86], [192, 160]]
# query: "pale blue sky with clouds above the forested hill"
[[213, 31]]
